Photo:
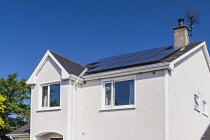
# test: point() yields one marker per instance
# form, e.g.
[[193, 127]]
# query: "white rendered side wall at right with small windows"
[[190, 76]]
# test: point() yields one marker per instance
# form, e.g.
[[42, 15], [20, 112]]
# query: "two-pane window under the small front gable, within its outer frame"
[[51, 95]]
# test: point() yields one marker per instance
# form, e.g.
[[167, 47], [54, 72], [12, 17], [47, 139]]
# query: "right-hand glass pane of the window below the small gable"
[[55, 95]]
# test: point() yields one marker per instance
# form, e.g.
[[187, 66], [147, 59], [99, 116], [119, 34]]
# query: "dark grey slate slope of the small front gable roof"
[[70, 66]]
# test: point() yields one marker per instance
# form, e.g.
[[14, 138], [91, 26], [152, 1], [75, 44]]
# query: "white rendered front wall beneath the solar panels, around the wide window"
[[145, 122]]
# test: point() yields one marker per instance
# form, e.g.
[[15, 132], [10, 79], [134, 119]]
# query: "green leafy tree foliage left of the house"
[[16, 112]]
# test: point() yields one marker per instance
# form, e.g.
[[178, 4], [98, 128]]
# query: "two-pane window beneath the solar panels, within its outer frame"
[[119, 93]]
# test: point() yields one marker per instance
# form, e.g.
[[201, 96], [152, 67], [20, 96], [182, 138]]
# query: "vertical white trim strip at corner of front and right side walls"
[[166, 91]]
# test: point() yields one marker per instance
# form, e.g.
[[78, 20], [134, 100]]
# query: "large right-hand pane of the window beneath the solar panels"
[[124, 92]]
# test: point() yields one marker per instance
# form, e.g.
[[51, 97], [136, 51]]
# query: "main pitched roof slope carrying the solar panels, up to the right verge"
[[152, 56]]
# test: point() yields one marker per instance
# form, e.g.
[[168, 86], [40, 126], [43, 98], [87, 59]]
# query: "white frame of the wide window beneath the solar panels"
[[103, 95]]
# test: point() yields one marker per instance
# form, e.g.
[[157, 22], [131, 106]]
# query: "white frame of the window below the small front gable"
[[41, 108]]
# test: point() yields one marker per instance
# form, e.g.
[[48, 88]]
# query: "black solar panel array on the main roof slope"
[[126, 60]]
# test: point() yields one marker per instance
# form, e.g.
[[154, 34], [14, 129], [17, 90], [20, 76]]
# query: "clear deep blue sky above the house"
[[87, 30]]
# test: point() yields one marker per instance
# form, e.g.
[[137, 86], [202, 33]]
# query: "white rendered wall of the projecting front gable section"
[[54, 120]]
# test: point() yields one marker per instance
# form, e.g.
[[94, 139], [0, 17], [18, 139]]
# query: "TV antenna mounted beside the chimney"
[[193, 18]]
